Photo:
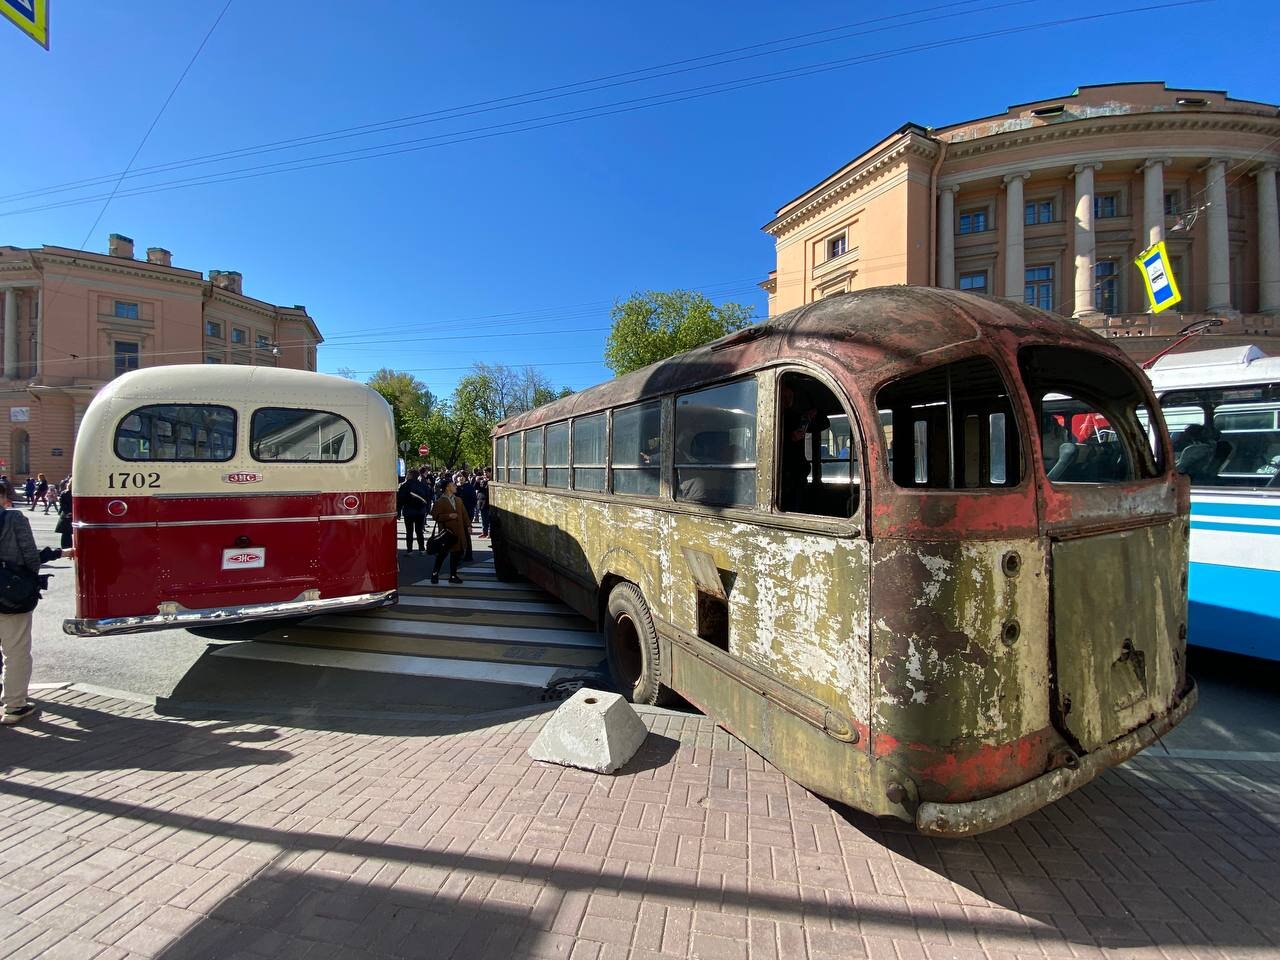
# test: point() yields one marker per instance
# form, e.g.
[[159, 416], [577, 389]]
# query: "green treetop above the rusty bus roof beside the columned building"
[[660, 324]]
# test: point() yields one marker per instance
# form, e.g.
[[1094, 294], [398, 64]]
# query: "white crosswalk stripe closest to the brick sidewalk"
[[510, 674]]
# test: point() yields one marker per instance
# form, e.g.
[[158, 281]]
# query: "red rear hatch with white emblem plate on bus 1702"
[[237, 550]]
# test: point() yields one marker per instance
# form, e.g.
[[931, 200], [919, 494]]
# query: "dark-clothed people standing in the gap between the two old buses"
[[454, 501]]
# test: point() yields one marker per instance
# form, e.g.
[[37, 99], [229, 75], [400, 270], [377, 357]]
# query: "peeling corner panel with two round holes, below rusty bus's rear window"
[[961, 664]]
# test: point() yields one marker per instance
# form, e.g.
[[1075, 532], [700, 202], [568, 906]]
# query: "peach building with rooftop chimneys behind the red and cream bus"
[[75, 319]]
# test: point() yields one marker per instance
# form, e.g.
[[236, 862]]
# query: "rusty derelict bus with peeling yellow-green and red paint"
[[863, 538]]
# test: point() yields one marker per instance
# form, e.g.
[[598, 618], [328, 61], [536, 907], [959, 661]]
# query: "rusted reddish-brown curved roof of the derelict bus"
[[876, 336]]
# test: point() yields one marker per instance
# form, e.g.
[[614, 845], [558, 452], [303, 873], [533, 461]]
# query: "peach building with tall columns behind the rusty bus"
[[1050, 203]]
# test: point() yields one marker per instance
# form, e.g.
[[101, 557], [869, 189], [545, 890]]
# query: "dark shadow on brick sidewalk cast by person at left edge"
[[106, 742]]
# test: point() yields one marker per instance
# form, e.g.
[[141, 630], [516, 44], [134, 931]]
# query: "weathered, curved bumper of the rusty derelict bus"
[[972, 817]]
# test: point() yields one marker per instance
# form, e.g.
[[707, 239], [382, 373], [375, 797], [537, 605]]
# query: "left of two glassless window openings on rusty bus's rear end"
[[956, 428]]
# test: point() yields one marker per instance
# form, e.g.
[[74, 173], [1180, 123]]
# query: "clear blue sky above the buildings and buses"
[[511, 249]]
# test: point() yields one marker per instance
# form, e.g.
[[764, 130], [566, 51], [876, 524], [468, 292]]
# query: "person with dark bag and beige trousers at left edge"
[[21, 584]]
